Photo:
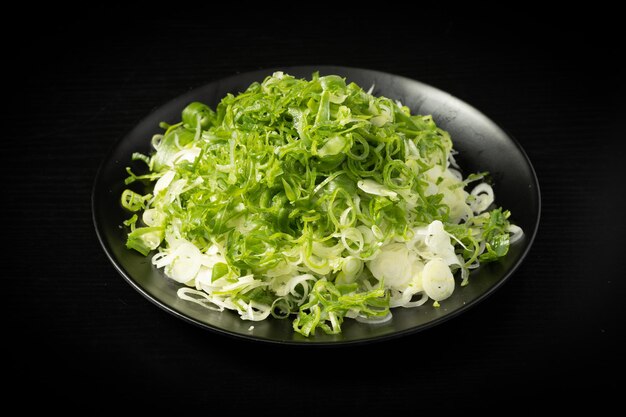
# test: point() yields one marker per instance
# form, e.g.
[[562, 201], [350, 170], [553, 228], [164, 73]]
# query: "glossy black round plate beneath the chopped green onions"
[[482, 146]]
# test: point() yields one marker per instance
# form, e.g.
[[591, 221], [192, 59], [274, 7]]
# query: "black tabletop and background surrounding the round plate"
[[76, 331]]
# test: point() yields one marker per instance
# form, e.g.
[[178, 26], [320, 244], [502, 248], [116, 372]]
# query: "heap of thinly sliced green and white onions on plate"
[[314, 201]]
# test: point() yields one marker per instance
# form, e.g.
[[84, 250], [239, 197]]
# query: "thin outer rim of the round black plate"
[[262, 73]]
